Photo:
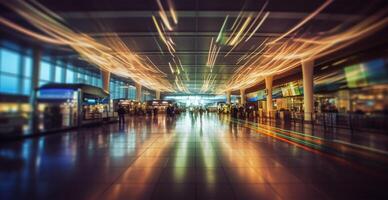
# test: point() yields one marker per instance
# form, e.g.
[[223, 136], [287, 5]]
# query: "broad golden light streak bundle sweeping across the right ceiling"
[[288, 54]]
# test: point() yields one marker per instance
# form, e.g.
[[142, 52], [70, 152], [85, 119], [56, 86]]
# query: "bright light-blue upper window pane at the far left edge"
[[9, 61]]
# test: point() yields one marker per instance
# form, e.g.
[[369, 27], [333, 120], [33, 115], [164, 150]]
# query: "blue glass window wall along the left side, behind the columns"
[[16, 74]]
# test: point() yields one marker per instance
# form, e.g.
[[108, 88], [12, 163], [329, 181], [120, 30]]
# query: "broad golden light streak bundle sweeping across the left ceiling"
[[114, 56]]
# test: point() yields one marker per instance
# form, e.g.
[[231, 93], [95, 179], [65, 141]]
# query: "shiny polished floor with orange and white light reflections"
[[186, 157]]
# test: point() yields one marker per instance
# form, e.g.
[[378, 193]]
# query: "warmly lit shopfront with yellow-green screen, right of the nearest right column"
[[358, 88]]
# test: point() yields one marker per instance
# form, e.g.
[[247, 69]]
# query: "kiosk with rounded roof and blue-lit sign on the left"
[[63, 106]]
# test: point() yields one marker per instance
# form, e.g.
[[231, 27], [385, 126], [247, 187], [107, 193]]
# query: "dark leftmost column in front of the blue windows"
[[34, 119]]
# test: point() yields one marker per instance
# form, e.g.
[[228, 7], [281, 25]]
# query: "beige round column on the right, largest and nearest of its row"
[[308, 92]]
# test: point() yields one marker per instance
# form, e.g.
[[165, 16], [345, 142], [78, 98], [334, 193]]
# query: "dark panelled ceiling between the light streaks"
[[198, 22]]
